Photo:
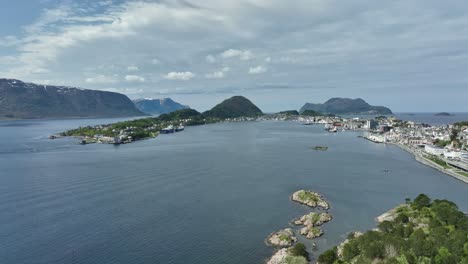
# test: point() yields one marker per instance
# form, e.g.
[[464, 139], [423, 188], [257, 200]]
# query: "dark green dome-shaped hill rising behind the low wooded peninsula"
[[236, 106]]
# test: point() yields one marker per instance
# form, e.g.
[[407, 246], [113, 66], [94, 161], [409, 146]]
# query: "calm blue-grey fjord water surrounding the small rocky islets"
[[210, 194]]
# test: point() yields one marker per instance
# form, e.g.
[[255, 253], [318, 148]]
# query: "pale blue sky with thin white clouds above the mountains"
[[408, 55]]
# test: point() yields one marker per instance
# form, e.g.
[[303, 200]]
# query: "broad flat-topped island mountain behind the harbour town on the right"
[[346, 106]]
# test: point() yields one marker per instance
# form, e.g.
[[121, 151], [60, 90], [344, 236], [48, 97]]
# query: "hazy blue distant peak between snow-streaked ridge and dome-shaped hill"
[[158, 106]]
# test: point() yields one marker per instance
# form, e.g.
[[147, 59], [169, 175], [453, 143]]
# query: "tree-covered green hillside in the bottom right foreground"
[[421, 231]]
